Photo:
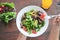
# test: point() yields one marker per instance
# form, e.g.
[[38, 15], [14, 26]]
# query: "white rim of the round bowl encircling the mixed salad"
[[21, 13]]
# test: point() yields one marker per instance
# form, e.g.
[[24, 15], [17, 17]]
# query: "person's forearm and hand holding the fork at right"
[[54, 34]]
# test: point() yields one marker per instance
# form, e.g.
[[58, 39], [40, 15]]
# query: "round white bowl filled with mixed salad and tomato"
[[32, 21]]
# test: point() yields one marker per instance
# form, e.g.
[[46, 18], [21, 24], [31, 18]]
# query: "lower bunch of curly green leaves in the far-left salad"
[[6, 17]]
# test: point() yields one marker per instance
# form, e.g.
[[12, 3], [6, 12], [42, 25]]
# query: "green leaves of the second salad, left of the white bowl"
[[8, 15]]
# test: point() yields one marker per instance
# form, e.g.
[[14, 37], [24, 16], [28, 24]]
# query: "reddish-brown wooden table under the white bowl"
[[10, 32]]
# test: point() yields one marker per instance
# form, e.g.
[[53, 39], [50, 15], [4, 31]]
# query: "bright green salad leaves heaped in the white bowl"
[[31, 24]]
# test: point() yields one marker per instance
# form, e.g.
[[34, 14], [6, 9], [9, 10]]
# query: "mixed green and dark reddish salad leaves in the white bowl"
[[32, 22]]
